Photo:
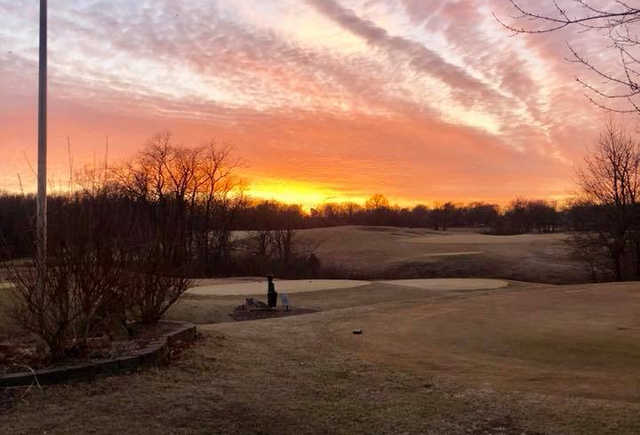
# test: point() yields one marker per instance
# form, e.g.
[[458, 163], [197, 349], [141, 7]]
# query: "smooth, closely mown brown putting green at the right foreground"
[[549, 340]]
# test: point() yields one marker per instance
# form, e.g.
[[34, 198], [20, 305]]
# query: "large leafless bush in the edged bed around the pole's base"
[[99, 277]]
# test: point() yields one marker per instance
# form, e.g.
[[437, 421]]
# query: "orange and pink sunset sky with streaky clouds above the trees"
[[321, 100]]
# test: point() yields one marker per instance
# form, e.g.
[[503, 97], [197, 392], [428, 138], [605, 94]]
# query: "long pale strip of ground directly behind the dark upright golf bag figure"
[[284, 286]]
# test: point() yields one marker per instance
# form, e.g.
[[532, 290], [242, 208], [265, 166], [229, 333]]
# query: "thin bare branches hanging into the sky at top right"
[[615, 21]]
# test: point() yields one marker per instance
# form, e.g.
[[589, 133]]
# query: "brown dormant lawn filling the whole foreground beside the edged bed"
[[539, 359]]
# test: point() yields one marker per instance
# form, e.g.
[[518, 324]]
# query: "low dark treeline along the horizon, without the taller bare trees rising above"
[[213, 219]]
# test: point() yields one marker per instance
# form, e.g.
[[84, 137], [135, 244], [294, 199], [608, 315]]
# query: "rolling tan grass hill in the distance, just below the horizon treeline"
[[390, 252]]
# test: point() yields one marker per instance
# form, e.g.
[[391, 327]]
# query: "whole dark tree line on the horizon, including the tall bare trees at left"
[[147, 199]]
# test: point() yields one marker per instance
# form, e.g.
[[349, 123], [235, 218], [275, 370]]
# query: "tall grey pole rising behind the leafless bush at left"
[[41, 208]]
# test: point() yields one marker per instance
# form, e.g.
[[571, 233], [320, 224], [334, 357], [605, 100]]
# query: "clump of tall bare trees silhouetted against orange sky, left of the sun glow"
[[190, 194]]
